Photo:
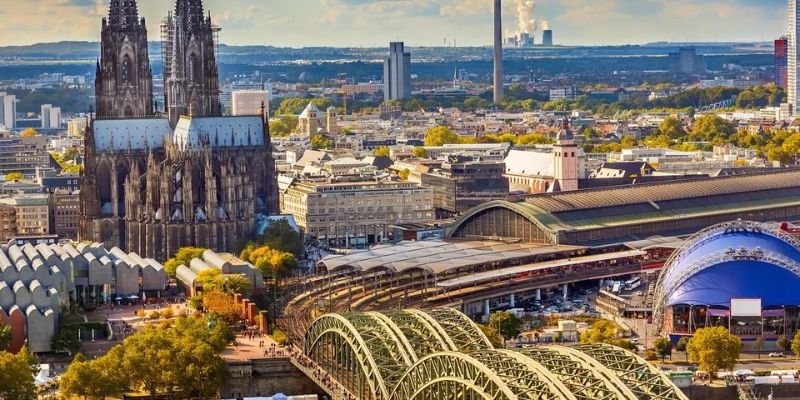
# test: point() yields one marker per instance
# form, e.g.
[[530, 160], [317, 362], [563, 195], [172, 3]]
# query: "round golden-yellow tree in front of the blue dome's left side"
[[714, 349]]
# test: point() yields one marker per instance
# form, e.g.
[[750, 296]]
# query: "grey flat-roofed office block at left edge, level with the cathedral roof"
[[24, 155]]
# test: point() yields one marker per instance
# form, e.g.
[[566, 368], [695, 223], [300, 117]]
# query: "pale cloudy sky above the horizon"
[[373, 23]]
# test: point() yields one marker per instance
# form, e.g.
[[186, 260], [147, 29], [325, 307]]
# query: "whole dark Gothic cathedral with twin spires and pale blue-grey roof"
[[155, 182]]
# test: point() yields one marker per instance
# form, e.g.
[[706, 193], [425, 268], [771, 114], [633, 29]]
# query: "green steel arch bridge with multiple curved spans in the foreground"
[[441, 354]]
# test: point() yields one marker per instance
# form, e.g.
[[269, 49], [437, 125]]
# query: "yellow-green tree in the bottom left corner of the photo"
[[17, 372]]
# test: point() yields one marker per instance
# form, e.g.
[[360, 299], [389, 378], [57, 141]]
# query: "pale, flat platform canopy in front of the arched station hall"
[[438, 256]]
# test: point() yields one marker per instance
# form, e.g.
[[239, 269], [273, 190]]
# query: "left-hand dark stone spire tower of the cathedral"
[[124, 81]]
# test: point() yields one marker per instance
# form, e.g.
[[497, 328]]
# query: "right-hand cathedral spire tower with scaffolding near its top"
[[191, 76]]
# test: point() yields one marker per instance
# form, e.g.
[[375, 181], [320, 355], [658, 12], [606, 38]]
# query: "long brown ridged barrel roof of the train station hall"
[[611, 207]]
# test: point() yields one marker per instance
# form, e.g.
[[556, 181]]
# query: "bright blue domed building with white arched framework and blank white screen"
[[742, 275]]
